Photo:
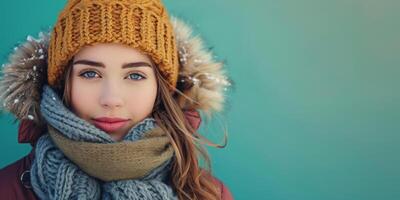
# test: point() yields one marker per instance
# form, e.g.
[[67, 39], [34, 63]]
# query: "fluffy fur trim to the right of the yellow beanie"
[[206, 79]]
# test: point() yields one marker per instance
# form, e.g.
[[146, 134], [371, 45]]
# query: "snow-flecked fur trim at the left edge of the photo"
[[23, 77]]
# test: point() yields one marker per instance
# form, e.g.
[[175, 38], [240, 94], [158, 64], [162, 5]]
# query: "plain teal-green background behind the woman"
[[315, 109]]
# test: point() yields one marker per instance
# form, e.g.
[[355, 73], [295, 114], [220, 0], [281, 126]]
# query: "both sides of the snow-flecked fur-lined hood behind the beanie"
[[203, 78]]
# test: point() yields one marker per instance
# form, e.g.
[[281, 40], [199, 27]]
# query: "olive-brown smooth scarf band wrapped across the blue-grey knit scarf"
[[117, 161]]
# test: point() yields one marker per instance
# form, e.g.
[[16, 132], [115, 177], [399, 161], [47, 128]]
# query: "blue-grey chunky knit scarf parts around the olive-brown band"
[[54, 176]]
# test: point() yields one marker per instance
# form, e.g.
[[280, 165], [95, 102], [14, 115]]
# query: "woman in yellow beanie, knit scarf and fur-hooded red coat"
[[113, 113]]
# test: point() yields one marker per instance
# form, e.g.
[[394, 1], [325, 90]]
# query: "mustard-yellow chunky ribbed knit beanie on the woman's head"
[[141, 24]]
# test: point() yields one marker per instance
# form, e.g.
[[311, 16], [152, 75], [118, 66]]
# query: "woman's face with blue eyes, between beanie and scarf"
[[112, 87]]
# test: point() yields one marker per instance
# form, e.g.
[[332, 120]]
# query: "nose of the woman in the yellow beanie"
[[111, 95]]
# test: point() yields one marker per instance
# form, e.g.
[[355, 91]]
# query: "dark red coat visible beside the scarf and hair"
[[15, 178]]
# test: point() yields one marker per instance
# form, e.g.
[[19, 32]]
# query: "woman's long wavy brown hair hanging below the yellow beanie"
[[189, 180]]
